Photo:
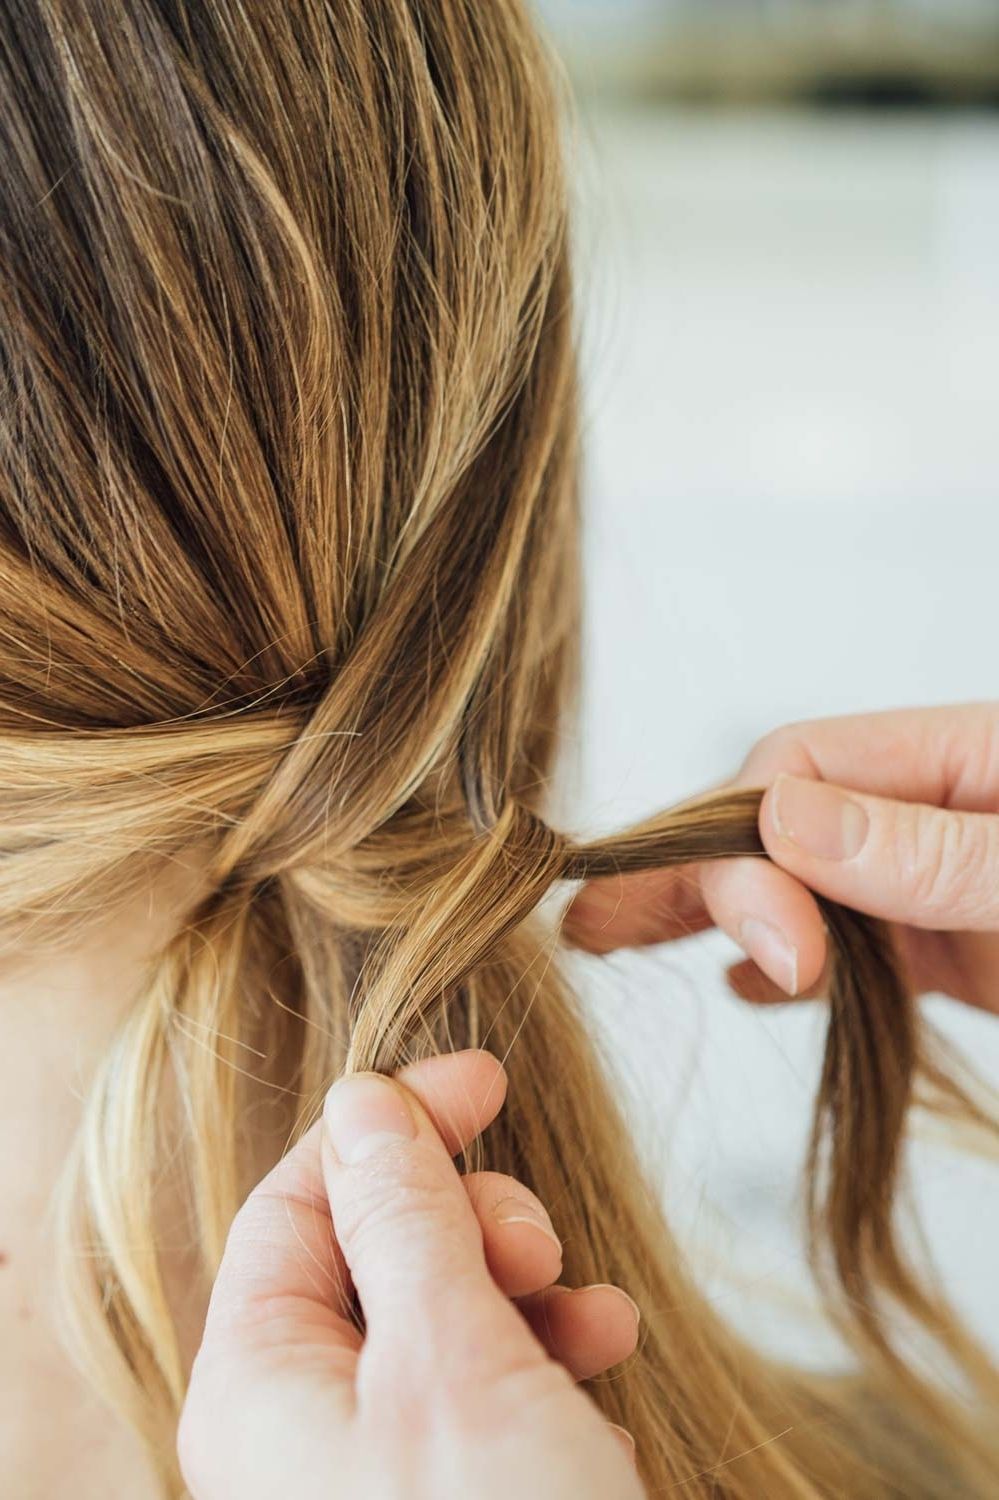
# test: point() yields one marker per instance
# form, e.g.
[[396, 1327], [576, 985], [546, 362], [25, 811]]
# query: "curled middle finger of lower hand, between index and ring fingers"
[[523, 1250]]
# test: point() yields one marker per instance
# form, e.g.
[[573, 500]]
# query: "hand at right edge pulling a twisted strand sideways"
[[895, 815]]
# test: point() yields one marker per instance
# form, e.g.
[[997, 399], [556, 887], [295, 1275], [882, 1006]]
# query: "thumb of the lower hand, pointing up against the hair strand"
[[412, 1240]]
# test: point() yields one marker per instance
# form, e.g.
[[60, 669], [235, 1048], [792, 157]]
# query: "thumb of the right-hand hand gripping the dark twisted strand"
[[905, 862]]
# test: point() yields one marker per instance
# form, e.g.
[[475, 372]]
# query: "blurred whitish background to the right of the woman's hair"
[[788, 260]]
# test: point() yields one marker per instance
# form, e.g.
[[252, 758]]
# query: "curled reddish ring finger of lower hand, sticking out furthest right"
[[589, 1330]]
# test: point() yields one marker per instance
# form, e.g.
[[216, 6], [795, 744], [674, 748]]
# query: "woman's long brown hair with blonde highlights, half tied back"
[[289, 578]]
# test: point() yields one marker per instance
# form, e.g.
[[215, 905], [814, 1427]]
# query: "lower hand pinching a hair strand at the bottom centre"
[[454, 1390]]
